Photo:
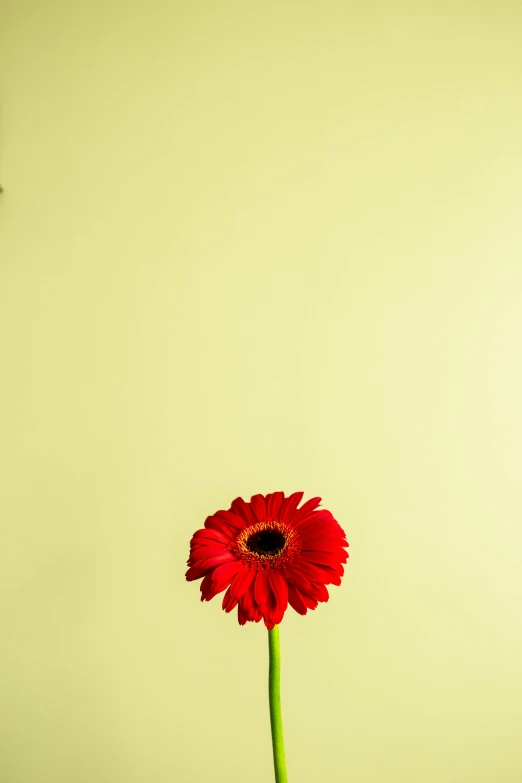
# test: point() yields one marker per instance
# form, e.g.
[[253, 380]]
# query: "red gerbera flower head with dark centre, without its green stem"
[[268, 553]]
